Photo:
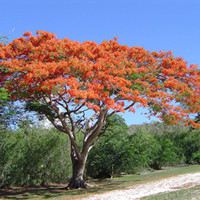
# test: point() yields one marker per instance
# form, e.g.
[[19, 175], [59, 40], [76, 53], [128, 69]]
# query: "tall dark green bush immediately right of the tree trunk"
[[107, 157]]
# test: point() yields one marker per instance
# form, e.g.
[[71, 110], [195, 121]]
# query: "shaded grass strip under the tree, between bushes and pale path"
[[99, 186]]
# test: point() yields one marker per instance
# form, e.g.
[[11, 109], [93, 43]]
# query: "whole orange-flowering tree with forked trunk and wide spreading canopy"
[[77, 86]]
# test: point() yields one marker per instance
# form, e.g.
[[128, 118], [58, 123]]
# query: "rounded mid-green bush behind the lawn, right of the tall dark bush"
[[145, 150]]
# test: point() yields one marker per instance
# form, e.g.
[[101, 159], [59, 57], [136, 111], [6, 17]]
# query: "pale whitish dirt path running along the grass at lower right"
[[142, 190]]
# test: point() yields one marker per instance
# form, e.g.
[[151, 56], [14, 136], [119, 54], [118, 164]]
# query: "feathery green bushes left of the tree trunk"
[[33, 157]]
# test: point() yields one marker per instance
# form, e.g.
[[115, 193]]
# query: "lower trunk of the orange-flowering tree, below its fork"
[[78, 168]]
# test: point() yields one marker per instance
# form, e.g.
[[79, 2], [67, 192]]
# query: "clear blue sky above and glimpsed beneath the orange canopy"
[[153, 24]]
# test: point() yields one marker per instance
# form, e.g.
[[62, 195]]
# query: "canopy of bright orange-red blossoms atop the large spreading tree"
[[100, 75]]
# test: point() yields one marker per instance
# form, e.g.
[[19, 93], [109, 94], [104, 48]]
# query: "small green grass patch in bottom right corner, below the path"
[[184, 194]]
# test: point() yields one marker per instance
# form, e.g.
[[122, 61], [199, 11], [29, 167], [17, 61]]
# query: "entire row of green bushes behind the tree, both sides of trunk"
[[38, 156]]
